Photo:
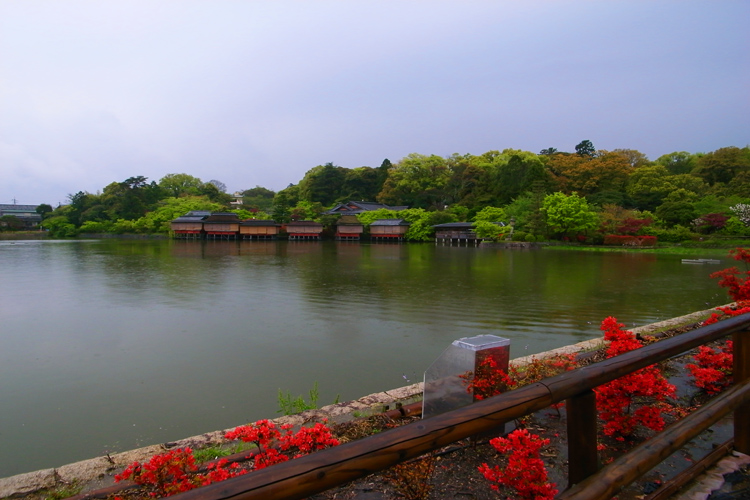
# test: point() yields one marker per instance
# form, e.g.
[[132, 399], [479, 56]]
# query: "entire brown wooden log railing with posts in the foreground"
[[326, 469]]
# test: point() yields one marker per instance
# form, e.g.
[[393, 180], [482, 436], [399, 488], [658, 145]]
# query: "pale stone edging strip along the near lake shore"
[[97, 473]]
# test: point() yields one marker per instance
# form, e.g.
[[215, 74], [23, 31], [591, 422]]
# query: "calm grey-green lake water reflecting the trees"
[[108, 345]]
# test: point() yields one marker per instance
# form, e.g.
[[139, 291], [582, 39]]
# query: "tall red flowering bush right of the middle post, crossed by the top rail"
[[615, 400]]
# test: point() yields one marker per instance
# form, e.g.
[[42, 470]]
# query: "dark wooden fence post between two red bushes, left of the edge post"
[[583, 460]]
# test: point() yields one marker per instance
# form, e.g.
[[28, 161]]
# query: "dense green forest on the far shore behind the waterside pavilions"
[[586, 195]]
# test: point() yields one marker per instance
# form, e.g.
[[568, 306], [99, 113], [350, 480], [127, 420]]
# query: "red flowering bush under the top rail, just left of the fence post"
[[525, 474]]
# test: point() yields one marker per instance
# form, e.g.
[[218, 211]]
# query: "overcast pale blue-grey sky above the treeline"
[[258, 92]]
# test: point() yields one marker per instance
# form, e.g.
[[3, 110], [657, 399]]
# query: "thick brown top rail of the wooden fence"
[[326, 469]]
